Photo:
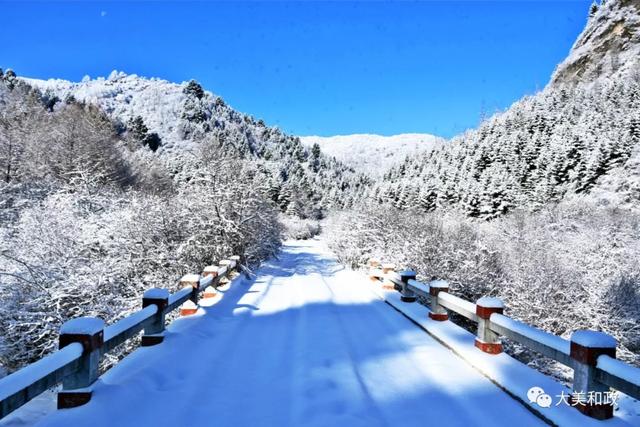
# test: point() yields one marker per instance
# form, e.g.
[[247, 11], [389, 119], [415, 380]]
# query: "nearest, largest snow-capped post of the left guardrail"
[[76, 388]]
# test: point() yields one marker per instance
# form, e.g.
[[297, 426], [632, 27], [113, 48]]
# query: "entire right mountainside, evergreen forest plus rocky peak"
[[579, 137]]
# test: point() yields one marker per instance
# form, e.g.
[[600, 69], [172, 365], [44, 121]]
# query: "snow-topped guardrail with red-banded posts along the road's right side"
[[590, 354]]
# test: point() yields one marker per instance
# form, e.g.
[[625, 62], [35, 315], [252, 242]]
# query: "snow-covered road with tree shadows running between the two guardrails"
[[305, 344]]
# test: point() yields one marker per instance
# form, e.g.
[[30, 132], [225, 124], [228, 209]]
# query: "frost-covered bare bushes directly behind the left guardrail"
[[76, 253]]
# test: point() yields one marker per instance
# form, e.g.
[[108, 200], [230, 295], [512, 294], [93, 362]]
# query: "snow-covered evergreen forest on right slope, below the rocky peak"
[[560, 142]]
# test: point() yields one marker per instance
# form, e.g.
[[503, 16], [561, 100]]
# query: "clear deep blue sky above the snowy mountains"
[[310, 67]]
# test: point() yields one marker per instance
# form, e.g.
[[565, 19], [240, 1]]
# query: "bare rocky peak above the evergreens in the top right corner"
[[610, 43]]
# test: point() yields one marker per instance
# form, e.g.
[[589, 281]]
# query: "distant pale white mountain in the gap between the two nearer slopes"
[[373, 154]]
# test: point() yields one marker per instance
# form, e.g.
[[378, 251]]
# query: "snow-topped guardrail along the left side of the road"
[[83, 341]]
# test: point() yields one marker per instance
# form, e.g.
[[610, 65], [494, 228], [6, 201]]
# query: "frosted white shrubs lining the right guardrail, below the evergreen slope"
[[567, 267]]
